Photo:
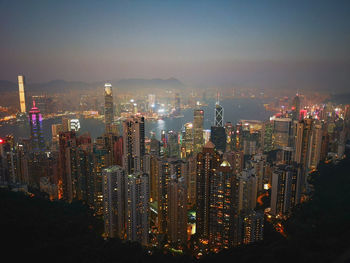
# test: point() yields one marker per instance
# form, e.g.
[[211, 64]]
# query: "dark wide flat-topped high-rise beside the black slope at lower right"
[[285, 190]]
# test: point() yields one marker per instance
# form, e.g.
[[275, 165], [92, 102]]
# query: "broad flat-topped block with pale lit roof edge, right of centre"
[[282, 131]]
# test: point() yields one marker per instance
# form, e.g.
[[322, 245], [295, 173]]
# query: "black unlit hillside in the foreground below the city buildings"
[[47, 231]]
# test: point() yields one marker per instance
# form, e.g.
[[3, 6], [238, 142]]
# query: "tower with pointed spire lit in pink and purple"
[[36, 129]]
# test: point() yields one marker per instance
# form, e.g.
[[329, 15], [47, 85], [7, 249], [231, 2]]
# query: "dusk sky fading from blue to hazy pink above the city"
[[252, 43]]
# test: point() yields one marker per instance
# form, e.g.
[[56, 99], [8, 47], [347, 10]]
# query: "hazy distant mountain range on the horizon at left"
[[57, 86]]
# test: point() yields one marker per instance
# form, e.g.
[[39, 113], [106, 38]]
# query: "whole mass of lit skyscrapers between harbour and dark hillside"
[[147, 190]]
